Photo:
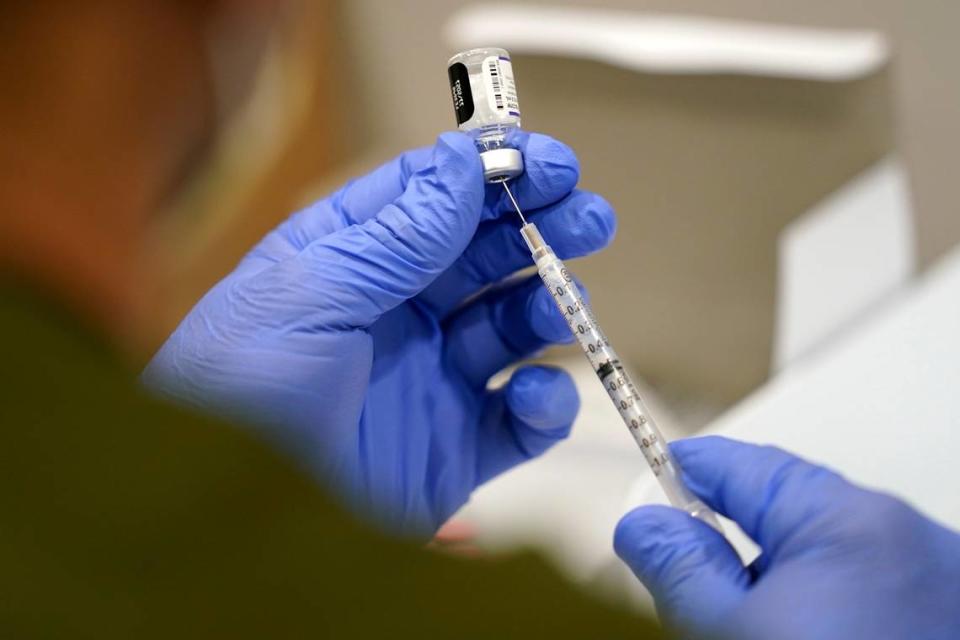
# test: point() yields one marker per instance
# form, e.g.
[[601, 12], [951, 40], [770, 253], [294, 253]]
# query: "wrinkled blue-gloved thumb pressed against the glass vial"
[[350, 278]]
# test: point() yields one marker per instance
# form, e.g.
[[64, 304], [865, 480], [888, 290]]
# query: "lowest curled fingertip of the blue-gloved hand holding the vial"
[[544, 398]]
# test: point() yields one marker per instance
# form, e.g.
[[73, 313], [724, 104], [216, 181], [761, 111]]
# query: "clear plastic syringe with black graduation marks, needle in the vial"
[[583, 324]]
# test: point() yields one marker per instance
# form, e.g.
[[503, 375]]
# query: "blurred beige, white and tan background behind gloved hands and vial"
[[785, 179]]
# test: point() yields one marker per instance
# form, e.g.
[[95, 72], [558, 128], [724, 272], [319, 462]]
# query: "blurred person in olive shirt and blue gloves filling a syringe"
[[350, 352]]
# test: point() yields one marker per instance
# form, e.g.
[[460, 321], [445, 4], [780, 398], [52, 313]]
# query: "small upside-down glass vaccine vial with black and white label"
[[485, 101]]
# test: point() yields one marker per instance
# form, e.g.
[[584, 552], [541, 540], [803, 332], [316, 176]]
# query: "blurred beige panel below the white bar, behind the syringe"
[[704, 174]]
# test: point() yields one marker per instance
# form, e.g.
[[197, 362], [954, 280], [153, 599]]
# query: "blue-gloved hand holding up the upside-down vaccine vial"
[[345, 331]]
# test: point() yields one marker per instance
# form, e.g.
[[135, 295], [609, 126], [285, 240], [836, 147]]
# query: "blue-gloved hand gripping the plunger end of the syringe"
[[838, 561]]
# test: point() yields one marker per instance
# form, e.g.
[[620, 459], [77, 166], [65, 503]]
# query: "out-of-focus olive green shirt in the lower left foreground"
[[123, 517]]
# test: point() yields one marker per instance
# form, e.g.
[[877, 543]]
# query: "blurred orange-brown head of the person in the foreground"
[[106, 108]]
